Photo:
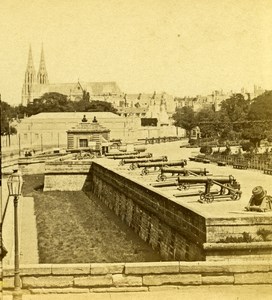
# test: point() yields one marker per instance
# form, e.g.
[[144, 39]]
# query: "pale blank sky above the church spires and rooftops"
[[183, 47]]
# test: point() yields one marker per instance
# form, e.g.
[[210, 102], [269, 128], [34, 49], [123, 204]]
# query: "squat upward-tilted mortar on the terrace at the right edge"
[[259, 200]]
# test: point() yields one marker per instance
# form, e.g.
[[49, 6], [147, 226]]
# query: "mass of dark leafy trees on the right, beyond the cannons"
[[237, 118]]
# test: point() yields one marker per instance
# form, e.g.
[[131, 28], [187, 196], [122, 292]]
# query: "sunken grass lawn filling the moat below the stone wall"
[[76, 228]]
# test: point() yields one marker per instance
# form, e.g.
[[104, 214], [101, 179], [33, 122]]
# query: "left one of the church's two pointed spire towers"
[[30, 78]]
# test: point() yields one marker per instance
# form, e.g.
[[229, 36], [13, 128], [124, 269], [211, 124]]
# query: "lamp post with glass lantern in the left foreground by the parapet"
[[15, 182]]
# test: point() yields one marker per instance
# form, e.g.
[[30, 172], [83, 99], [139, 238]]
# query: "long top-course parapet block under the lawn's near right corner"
[[152, 267]]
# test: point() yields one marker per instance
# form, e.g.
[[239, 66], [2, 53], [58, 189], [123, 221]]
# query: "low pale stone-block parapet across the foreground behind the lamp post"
[[127, 277]]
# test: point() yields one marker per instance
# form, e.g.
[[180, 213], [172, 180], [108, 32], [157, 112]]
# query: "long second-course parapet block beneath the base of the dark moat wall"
[[181, 279]]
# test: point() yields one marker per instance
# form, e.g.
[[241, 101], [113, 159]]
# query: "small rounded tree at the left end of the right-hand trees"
[[184, 117]]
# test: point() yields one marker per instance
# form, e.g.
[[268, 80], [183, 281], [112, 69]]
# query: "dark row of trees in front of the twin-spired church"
[[49, 102]]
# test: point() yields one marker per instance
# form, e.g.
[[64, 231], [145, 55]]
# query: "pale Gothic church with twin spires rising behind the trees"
[[36, 85]]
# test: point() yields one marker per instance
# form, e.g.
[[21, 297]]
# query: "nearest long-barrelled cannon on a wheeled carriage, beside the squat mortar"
[[229, 187]]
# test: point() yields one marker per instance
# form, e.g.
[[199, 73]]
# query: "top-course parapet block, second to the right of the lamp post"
[[71, 269]]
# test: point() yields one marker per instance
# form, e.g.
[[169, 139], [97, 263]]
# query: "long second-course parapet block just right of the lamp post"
[[47, 282]]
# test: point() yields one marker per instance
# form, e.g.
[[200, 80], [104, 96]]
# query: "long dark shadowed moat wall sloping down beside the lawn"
[[175, 231]]
